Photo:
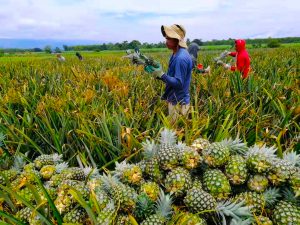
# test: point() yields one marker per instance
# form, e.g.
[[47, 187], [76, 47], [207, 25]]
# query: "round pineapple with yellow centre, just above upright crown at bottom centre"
[[178, 181]]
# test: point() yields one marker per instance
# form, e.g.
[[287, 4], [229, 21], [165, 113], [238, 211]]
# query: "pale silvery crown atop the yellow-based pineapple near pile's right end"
[[267, 152]]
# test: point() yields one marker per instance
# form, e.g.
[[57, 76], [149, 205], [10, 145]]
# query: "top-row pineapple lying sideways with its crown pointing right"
[[217, 154]]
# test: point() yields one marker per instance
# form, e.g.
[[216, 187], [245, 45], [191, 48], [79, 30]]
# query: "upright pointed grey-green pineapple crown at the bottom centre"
[[164, 205]]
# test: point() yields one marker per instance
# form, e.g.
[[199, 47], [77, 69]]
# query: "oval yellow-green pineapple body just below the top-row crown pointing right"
[[236, 170]]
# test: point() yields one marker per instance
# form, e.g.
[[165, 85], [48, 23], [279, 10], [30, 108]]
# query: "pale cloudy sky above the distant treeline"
[[121, 20]]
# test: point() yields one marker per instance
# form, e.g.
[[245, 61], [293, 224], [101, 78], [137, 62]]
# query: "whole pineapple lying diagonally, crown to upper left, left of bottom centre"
[[124, 196]]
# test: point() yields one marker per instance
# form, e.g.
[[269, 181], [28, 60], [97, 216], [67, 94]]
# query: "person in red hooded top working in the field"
[[242, 59]]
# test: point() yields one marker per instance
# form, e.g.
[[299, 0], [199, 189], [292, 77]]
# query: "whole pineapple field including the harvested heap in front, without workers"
[[90, 143]]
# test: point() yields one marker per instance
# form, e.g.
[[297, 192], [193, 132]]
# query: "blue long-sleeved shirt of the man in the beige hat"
[[178, 78]]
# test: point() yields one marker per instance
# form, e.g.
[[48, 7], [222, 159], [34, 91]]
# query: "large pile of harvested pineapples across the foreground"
[[205, 183]]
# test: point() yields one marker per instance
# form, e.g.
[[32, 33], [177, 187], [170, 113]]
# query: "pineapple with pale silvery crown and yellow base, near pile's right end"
[[259, 159]]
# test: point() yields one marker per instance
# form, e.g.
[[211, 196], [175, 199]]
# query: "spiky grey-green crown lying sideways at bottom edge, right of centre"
[[236, 210]]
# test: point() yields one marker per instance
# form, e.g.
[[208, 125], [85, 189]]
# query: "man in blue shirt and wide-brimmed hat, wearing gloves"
[[178, 76]]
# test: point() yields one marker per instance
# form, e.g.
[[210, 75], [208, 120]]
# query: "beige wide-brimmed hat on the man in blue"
[[175, 31]]
